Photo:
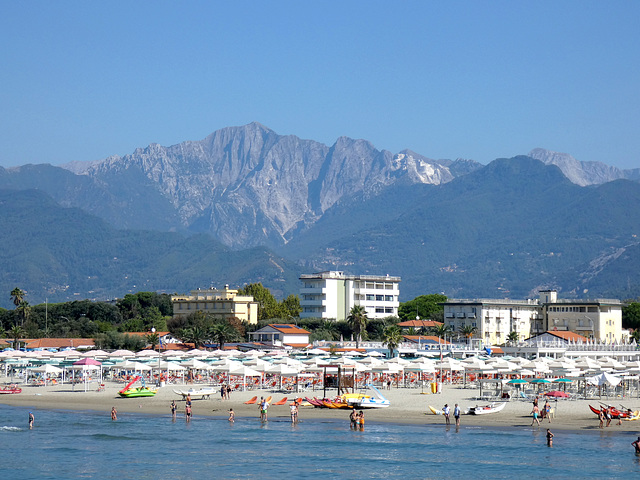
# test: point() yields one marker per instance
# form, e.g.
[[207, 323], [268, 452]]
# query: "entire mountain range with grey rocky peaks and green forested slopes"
[[246, 204]]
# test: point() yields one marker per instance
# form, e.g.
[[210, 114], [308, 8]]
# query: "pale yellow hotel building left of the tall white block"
[[225, 303]]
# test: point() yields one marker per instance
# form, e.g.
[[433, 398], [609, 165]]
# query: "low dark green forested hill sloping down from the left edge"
[[65, 254]]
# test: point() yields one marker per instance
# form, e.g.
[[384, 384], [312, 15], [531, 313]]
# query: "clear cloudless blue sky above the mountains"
[[480, 80]]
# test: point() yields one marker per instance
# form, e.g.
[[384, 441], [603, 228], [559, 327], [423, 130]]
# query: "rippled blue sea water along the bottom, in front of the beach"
[[82, 444]]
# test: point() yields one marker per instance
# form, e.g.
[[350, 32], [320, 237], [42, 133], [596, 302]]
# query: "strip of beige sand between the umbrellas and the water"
[[408, 406]]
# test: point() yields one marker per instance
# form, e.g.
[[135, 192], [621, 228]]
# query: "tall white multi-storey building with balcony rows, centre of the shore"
[[332, 294]]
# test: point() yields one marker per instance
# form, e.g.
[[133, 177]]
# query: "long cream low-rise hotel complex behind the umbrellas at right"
[[599, 319]]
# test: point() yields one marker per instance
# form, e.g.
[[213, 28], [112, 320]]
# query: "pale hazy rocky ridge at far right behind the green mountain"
[[583, 173]]
